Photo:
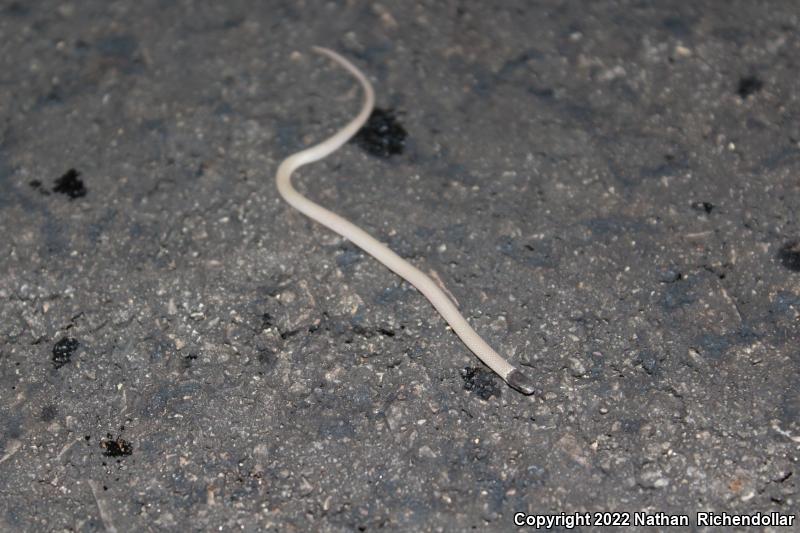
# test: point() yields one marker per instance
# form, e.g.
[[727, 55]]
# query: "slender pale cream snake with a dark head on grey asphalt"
[[512, 375]]
